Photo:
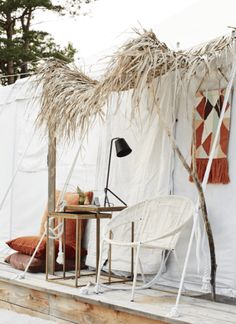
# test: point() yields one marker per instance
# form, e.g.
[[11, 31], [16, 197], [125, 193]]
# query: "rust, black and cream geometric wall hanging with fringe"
[[207, 114]]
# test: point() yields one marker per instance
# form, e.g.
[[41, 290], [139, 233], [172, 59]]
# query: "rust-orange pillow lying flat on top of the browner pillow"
[[27, 245]]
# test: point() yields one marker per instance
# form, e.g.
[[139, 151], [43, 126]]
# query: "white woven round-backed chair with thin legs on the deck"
[[158, 224]]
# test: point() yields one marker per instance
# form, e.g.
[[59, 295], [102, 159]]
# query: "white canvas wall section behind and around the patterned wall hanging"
[[219, 197]]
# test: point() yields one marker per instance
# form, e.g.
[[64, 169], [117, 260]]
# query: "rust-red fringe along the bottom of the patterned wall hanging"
[[219, 170]]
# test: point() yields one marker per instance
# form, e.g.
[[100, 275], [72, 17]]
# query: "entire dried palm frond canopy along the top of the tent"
[[71, 100]]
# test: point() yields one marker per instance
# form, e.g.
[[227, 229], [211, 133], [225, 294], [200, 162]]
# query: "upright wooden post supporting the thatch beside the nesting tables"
[[51, 197]]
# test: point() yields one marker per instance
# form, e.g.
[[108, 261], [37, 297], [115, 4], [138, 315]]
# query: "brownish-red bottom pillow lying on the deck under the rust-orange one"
[[20, 261]]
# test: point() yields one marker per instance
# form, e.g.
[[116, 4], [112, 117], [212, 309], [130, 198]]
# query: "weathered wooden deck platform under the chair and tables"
[[35, 296]]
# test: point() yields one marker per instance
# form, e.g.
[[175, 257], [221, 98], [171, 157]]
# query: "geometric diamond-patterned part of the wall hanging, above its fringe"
[[206, 118]]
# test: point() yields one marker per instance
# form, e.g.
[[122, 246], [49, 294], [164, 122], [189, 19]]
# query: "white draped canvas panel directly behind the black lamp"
[[144, 174]]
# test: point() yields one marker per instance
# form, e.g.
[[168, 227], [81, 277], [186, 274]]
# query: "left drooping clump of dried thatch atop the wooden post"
[[64, 89]]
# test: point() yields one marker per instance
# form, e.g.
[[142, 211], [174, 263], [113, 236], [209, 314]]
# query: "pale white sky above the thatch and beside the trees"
[[110, 23]]
